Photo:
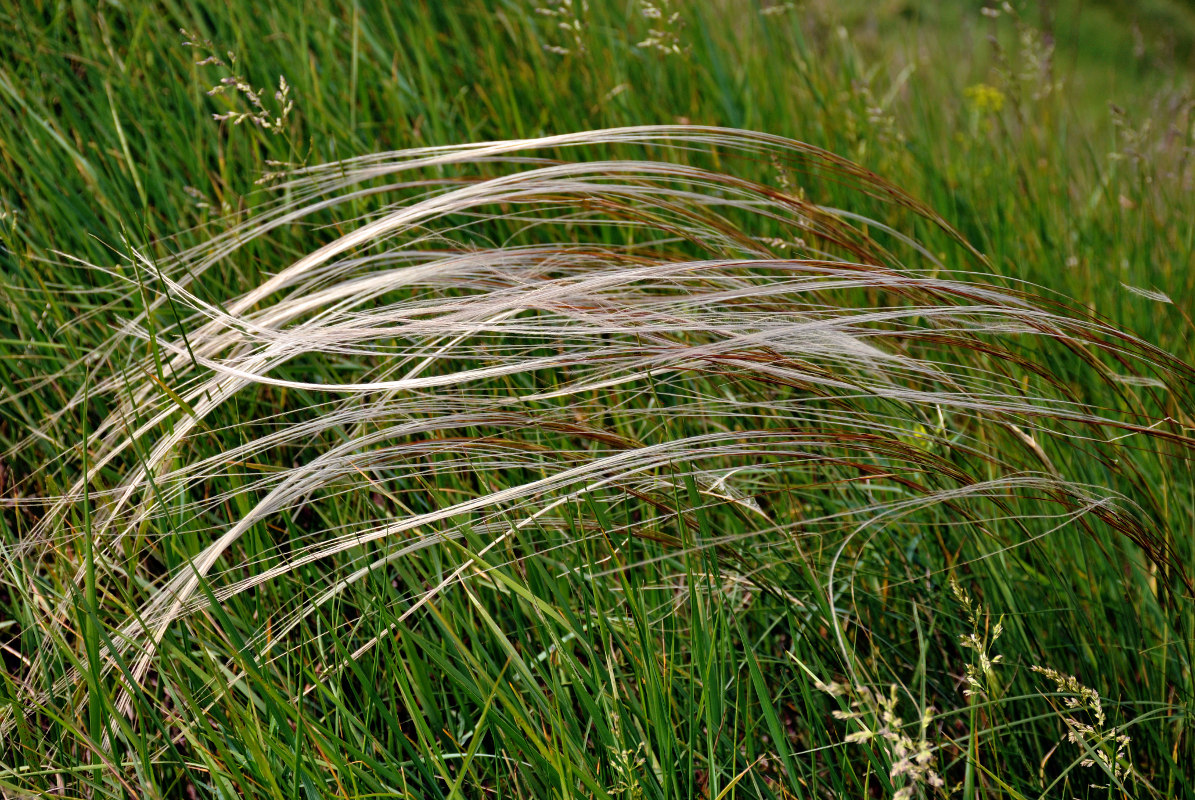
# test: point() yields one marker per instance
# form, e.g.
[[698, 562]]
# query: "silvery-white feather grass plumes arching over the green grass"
[[599, 335]]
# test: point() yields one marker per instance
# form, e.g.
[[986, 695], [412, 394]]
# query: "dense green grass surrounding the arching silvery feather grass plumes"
[[624, 651]]
